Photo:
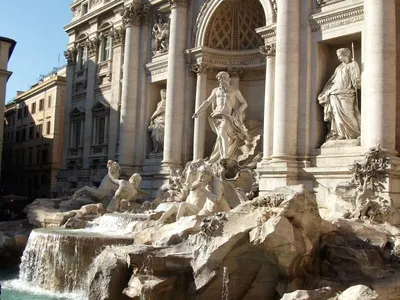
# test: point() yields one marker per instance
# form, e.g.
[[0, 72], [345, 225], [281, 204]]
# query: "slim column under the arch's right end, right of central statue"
[[269, 52]]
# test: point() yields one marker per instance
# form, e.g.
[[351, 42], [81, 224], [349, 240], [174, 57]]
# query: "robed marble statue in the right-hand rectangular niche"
[[339, 99]]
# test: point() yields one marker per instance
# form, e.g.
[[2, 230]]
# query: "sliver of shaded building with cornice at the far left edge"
[[6, 49]]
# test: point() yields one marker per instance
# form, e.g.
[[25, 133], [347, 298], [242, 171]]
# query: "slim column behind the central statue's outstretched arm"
[[200, 121]]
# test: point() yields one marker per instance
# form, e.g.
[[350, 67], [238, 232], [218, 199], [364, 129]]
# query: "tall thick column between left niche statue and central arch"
[[174, 114]]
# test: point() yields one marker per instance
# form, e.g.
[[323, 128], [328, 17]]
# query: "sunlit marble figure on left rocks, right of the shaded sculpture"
[[127, 191]]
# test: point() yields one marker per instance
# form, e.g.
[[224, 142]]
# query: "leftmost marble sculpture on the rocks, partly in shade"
[[106, 188]]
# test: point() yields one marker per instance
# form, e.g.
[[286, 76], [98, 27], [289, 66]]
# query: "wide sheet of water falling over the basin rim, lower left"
[[58, 259]]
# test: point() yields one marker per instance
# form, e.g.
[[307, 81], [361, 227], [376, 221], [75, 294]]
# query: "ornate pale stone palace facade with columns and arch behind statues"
[[279, 54]]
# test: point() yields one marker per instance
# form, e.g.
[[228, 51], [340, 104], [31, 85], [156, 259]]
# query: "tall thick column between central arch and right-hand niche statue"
[[286, 80]]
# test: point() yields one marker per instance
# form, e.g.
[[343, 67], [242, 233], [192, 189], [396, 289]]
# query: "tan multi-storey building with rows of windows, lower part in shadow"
[[32, 139]]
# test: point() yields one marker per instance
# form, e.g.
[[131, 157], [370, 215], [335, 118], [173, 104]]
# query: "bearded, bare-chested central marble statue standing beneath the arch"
[[227, 120]]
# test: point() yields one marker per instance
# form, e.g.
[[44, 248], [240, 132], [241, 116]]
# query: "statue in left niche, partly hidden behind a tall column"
[[157, 124]]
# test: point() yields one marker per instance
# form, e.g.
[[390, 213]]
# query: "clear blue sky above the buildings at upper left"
[[37, 27]]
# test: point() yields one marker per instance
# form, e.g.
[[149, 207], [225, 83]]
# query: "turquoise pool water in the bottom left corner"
[[14, 289]]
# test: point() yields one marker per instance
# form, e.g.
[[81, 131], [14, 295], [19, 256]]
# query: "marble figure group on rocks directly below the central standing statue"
[[205, 197]]
